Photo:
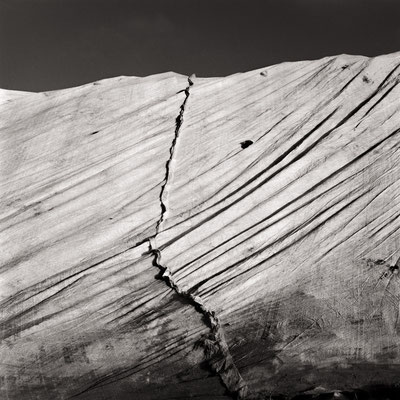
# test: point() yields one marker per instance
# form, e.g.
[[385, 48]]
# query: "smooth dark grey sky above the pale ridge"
[[51, 44]]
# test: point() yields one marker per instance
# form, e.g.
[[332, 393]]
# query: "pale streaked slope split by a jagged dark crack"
[[170, 237]]
